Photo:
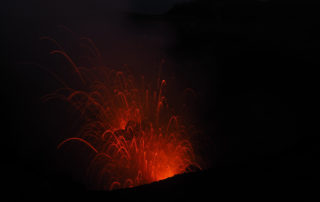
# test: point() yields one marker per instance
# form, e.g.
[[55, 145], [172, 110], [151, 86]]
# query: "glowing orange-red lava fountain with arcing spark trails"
[[135, 137]]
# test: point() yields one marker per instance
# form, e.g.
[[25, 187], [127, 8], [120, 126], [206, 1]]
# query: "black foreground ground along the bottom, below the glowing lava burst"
[[237, 182]]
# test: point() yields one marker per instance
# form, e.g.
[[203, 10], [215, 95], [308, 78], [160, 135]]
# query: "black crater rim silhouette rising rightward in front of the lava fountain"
[[227, 183]]
